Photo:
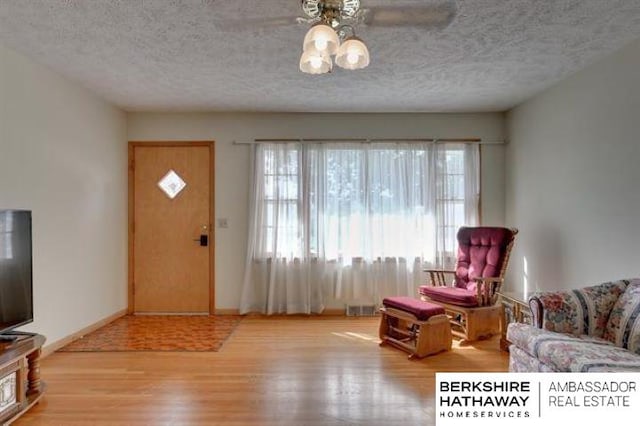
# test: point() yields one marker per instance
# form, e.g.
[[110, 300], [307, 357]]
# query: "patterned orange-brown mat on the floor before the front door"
[[158, 333]]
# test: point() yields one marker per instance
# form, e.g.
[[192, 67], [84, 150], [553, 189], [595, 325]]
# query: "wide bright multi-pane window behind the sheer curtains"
[[369, 201]]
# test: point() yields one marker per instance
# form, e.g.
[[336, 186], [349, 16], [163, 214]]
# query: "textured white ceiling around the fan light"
[[189, 55]]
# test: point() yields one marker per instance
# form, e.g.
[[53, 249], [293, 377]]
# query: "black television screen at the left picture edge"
[[16, 301]]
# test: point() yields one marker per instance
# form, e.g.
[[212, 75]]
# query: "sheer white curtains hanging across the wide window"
[[355, 222]]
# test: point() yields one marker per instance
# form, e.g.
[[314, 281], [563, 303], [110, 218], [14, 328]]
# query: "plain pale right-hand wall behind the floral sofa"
[[573, 178]]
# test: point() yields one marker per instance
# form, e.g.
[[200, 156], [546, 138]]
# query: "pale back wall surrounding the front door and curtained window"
[[232, 161]]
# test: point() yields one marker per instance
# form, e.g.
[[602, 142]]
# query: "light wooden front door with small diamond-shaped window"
[[170, 205]]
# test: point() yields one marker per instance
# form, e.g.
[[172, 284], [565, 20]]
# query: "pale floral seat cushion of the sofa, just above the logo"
[[562, 352]]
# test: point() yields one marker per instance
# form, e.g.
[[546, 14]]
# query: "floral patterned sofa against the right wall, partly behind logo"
[[589, 329]]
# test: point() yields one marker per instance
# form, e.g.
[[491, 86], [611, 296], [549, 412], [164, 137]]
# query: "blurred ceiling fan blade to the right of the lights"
[[432, 16]]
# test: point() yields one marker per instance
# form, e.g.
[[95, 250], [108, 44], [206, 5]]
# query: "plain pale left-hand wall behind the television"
[[63, 154]]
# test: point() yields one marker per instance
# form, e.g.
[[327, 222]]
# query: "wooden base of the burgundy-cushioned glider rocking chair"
[[472, 323]]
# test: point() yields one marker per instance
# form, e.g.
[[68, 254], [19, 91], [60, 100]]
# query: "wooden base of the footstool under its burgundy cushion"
[[419, 338]]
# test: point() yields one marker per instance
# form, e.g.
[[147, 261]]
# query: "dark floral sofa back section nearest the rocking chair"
[[581, 311]]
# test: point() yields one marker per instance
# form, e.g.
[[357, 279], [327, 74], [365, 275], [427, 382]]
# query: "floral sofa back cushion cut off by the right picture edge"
[[623, 327]]
